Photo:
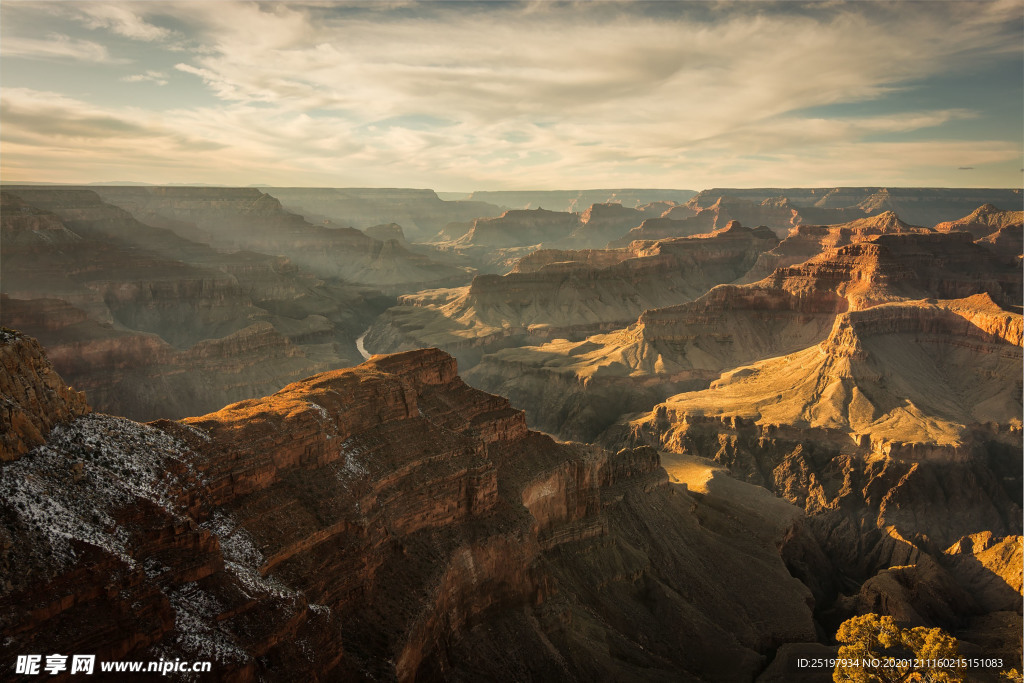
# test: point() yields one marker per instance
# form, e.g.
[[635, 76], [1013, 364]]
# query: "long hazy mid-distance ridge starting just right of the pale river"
[[582, 293]]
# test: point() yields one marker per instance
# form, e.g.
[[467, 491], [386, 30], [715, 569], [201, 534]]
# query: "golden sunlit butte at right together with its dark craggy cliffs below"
[[899, 435]]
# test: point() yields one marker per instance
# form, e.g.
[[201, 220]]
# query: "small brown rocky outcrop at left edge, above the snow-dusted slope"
[[33, 399]]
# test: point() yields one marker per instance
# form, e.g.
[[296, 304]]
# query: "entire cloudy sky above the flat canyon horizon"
[[459, 97]]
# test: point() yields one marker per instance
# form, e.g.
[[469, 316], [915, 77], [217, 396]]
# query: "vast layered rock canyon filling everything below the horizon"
[[761, 413]]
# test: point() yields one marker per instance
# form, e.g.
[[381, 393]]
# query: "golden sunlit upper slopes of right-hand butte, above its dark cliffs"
[[931, 395]]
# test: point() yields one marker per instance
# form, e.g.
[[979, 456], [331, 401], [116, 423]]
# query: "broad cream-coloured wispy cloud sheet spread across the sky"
[[475, 95]]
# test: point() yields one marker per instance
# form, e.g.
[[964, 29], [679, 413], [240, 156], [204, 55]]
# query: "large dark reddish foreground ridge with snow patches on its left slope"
[[383, 523]]
